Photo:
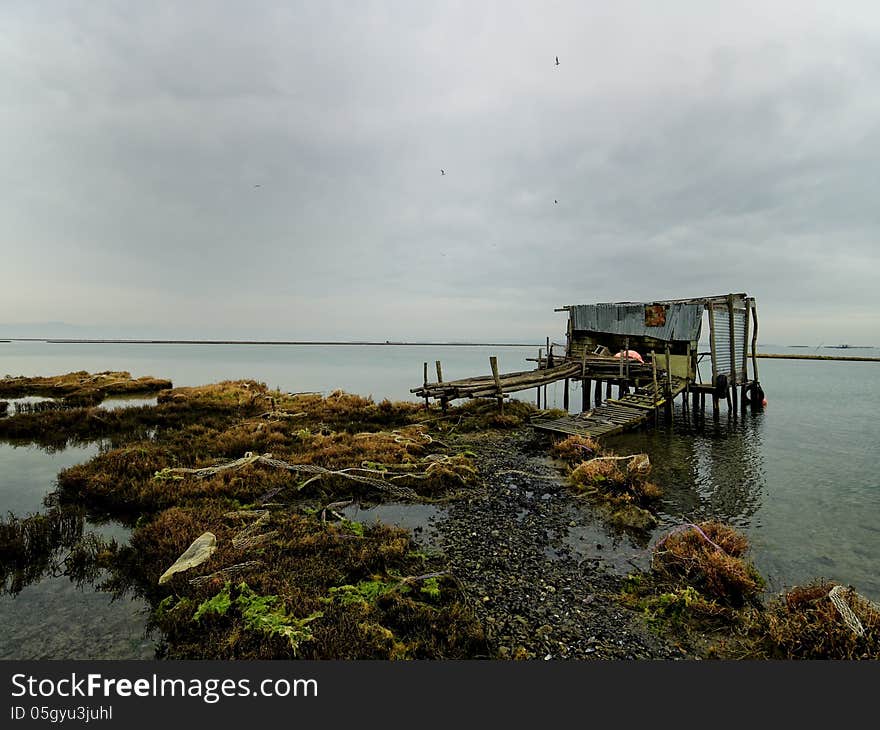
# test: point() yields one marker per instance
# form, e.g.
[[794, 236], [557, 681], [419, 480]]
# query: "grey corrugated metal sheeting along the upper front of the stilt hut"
[[682, 320]]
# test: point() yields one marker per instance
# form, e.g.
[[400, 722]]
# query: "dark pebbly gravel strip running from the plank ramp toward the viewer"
[[509, 546]]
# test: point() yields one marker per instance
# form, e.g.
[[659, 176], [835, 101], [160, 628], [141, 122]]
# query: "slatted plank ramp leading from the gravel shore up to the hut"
[[612, 416]]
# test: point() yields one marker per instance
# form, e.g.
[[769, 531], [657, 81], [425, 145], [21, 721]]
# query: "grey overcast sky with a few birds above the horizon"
[[273, 170]]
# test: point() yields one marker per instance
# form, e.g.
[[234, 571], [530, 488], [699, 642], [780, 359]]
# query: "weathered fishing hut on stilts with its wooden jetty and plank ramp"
[[651, 352]]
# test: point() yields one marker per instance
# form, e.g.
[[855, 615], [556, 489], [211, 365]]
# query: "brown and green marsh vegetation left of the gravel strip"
[[279, 593]]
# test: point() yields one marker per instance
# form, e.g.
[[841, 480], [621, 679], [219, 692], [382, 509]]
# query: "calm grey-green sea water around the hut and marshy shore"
[[801, 479]]
